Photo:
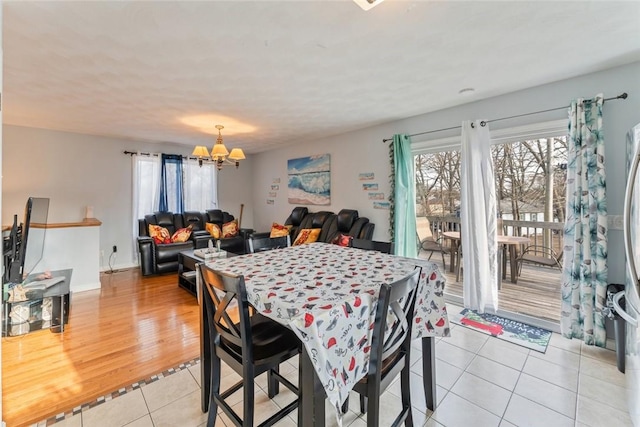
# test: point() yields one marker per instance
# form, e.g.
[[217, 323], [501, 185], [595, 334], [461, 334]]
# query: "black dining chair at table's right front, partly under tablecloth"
[[390, 350]]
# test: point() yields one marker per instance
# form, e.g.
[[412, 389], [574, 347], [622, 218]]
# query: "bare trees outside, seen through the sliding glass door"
[[530, 180]]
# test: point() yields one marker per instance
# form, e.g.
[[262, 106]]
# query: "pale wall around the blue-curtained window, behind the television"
[[76, 171]]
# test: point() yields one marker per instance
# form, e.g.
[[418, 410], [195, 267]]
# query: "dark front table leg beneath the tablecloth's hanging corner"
[[312, 394]]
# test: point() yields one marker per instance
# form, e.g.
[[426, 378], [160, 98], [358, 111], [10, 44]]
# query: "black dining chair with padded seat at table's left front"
[[248, 342]]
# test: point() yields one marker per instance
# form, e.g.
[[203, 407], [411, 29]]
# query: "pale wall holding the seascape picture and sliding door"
[[363, 151]]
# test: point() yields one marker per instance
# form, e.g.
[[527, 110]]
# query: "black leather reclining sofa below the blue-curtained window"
[[163, 258]]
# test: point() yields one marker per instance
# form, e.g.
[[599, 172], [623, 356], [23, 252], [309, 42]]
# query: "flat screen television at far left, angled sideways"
[[25, 246]]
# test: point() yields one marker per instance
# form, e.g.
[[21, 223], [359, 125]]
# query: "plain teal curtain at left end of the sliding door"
[[404, 211]]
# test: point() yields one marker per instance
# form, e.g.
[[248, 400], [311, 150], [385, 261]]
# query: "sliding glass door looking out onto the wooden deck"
[[530, 185]]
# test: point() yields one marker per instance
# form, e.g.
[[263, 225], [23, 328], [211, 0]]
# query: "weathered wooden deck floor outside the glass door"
[[536, 294]]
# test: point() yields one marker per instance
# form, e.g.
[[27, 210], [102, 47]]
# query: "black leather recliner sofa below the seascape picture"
[[347, 222]]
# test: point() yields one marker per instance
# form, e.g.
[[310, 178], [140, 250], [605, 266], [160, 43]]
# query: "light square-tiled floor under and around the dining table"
[[481, 381]]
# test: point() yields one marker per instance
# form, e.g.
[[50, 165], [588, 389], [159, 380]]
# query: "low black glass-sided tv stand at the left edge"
[[43, 308]]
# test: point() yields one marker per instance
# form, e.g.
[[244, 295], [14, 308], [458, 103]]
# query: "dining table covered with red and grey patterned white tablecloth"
[[327, 295]]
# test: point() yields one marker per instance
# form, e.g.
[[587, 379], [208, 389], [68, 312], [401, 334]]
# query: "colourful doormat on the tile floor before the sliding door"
[[513, 331]]
